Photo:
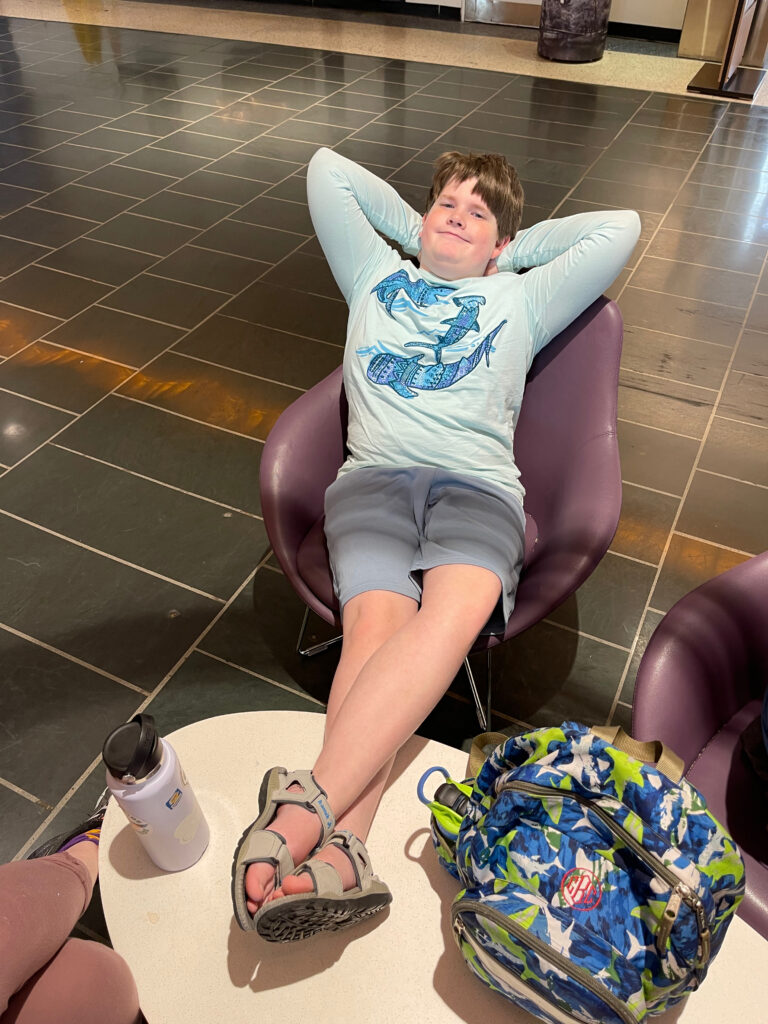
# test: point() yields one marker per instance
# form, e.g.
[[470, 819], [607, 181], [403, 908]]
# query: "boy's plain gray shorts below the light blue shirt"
[[385, 527]]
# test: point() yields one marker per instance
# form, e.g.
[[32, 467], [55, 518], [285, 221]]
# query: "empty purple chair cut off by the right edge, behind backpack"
[[700, 688]]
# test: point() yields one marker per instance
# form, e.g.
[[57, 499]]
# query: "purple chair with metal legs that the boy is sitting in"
[[566, 448]]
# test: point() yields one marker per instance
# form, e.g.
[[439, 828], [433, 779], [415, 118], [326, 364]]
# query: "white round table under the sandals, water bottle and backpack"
[[193, 964]]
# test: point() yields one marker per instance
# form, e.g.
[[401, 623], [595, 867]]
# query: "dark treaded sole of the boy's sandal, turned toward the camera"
[[304, 919]]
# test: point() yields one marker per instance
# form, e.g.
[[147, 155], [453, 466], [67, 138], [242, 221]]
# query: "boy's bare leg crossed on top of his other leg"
[[394, 693]]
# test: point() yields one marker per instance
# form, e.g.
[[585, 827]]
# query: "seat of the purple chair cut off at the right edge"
[[737, 797]]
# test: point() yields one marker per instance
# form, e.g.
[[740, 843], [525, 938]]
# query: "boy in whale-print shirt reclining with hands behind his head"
[[424, 523]]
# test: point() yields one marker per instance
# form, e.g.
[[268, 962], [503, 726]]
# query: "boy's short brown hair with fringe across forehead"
[[498, 186]]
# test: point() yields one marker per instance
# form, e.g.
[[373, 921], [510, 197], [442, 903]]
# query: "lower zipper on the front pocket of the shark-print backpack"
[[582, 976]]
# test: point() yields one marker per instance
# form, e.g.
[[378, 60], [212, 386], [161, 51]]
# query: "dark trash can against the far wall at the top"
[[574, 30]]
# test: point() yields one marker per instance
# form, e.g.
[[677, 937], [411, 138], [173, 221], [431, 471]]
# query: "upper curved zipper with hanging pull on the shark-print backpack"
[[681, 893]]
